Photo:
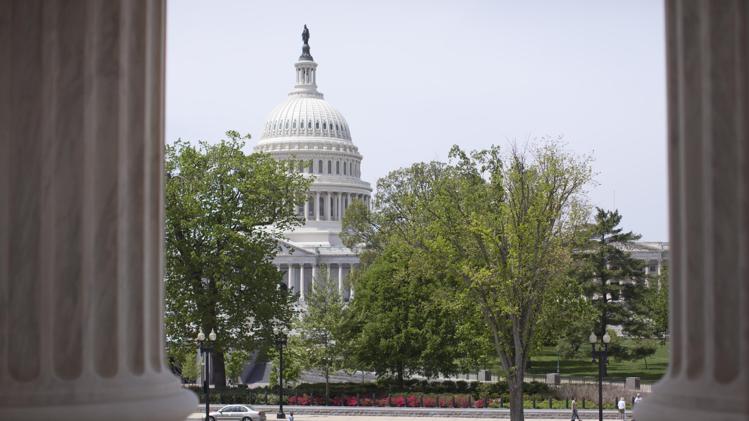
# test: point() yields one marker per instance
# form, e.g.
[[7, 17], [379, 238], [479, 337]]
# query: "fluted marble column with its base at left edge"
[[81, 213]]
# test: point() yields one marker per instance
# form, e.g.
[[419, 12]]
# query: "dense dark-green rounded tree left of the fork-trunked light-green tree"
[[403, 317]]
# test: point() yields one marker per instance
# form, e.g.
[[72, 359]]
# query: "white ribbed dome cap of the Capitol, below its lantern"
[[306, 115]]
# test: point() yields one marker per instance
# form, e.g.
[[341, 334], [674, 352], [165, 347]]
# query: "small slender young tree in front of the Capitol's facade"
[[321, 327]]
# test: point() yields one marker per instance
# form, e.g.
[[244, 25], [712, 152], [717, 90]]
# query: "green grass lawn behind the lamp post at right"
[[582, 366]]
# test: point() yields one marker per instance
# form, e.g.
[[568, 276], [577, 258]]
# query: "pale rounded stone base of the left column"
[[174, 407]]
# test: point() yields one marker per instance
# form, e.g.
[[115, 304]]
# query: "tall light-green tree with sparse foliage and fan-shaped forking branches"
[[502, 226]]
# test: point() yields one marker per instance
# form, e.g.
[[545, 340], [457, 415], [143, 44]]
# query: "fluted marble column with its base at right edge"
[[708, 99]]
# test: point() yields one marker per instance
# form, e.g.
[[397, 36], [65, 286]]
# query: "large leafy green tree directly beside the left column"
[[224, 212]]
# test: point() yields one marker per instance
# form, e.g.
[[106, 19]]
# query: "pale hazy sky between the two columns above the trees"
[[413, 78]]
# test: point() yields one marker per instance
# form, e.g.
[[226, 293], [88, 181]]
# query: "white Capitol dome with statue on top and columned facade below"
[[307, 129]]
